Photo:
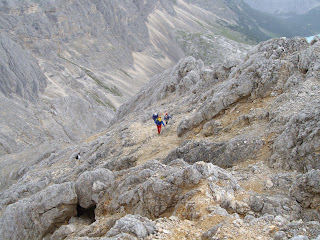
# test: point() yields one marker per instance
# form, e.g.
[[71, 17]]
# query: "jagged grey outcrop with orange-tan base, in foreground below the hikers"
[[152, 194]]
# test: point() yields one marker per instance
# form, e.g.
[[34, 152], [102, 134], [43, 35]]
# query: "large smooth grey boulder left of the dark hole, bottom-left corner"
[[32, 218]]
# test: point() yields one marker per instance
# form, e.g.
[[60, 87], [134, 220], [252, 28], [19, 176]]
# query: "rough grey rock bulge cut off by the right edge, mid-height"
[[296, 148]]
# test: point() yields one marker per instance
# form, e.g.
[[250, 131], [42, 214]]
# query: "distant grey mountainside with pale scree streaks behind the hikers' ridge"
[[67, 66]]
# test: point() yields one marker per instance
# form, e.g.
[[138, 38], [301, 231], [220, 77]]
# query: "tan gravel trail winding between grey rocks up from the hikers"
[[196, 215]]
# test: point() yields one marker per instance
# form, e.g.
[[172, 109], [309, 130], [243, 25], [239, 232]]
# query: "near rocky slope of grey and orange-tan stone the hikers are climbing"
[[239, 160]]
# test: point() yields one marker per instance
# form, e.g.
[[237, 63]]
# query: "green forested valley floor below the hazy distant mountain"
[[253, 26]]
